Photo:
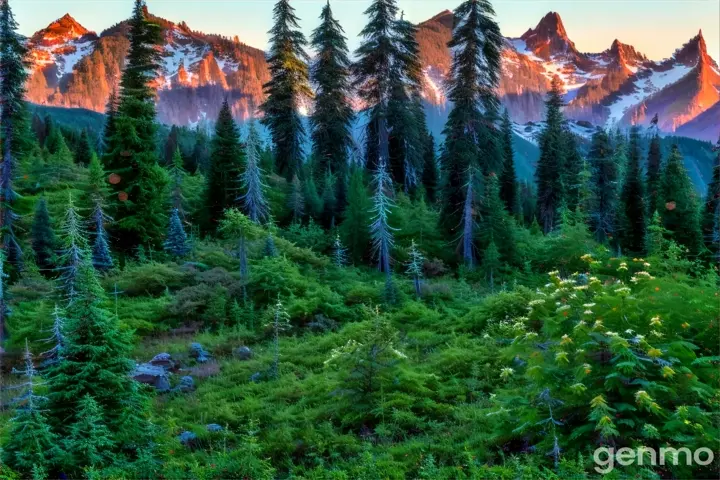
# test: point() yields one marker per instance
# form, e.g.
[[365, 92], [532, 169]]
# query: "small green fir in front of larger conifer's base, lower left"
[[90, 442]]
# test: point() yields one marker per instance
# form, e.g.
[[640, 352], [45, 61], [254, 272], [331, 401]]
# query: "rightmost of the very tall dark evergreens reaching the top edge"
[[474, 76]]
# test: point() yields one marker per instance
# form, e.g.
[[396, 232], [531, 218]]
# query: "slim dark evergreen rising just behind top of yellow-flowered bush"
[[632, 199]]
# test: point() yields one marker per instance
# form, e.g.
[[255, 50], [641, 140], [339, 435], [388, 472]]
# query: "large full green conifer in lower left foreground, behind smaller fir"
[[95, 362]]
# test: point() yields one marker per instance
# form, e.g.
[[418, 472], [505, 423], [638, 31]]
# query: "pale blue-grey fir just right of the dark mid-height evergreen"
[[253, 200]]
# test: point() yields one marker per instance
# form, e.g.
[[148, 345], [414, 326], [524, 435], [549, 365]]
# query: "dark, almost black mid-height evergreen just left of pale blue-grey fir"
[[226, 163]]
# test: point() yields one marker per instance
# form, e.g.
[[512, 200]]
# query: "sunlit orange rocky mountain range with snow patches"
[[74, 67]]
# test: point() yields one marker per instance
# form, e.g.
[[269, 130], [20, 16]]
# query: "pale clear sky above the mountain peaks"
[[655, 27]]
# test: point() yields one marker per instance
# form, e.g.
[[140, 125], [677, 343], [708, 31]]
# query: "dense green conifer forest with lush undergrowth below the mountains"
[[183, 305]]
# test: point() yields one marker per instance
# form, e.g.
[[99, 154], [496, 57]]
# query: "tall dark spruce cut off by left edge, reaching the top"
[[13, 75]]
